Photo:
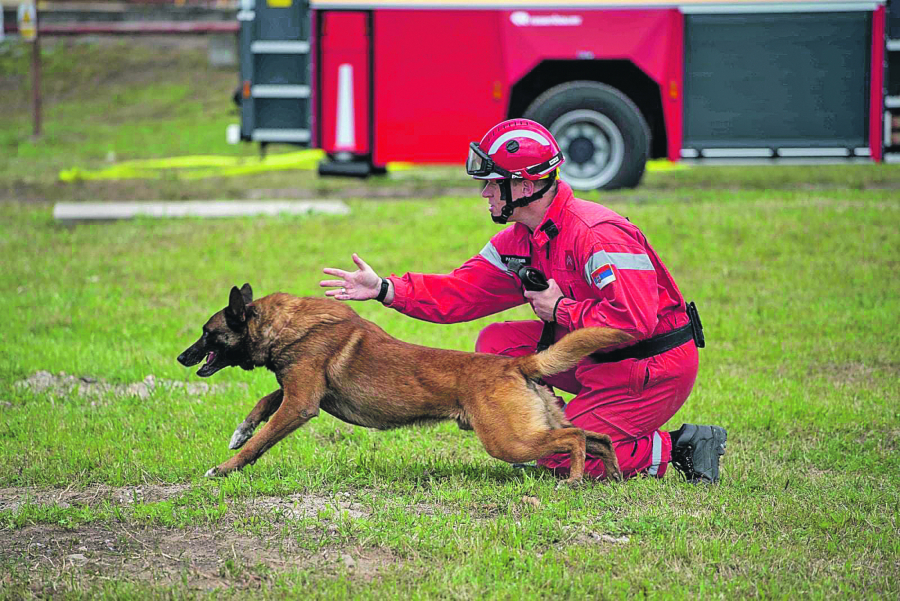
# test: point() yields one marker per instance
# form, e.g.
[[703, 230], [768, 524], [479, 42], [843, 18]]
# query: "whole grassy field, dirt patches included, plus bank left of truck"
[[101, 494]]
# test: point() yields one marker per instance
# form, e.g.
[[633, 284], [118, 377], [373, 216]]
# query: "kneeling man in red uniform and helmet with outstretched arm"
[[602, 272]]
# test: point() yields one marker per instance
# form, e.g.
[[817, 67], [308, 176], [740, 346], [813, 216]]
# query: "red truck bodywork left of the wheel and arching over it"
[[435, 67]]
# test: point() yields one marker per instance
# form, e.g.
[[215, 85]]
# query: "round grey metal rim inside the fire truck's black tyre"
[[593, 147]]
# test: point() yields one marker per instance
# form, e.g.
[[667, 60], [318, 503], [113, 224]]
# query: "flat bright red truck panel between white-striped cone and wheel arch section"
[[438, 83]]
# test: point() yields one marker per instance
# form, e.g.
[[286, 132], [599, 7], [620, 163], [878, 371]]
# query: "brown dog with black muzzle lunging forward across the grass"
[[327, 357]]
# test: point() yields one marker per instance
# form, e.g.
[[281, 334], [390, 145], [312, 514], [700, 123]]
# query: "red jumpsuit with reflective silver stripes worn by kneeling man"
[[610, 276]]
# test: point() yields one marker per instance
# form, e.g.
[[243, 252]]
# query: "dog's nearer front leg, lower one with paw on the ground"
[[302, 393]]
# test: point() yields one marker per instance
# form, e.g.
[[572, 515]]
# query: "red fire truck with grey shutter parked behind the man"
[[617, 81]]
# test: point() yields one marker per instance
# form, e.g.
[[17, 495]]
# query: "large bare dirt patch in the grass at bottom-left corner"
[[201, 558]]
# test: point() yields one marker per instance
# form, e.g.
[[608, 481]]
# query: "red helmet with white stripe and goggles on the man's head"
[[514, 149]]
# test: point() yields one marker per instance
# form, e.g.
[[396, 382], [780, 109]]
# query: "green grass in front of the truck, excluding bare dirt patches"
[[798, 299]]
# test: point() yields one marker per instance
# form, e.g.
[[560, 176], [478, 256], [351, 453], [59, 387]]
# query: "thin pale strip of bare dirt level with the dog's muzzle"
[[64, 385]]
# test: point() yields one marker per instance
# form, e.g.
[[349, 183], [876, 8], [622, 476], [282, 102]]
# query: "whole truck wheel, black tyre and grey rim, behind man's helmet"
[[604, 137]]
